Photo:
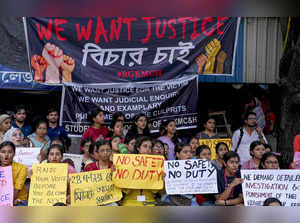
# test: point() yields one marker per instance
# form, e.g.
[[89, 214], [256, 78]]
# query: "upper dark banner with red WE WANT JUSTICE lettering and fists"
[[126, 49]]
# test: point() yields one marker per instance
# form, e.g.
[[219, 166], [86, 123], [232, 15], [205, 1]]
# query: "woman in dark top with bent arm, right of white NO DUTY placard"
[[229, 181]]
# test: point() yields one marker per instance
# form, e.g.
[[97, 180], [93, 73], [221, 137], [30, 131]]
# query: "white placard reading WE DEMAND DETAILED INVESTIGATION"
[[259, 185]]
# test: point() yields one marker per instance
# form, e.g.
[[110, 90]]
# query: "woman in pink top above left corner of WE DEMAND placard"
[[257, 150]]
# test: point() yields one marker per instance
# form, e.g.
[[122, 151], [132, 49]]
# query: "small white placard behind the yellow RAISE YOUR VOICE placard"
[[27, 156]]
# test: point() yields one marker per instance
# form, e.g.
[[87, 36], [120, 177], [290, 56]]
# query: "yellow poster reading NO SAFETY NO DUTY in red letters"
[[138, 171]]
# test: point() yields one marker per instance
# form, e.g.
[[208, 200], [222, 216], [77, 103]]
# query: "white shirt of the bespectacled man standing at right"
[[244, 148]]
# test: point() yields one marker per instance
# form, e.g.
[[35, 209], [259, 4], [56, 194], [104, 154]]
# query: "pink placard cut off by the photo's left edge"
[[6, 186]]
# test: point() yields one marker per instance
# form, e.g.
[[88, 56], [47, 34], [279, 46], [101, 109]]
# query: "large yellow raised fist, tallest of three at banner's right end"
[[212, 49]]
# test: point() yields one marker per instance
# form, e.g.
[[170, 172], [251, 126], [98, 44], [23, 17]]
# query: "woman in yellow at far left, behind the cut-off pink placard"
[[19, 172]]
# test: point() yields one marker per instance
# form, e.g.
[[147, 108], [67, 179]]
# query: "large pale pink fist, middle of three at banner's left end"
[[54, 58]]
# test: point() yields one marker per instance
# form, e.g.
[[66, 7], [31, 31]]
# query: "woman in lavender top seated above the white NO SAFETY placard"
[[170, 137]]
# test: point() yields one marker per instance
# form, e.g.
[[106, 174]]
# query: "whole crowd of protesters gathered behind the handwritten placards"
[[99, 142]]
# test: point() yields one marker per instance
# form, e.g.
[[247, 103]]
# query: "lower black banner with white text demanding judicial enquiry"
[[175, 99]]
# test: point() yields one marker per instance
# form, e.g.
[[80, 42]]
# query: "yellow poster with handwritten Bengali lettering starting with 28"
[[93, 188]]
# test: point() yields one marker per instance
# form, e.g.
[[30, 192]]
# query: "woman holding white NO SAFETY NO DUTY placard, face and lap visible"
[[183, 152]]
